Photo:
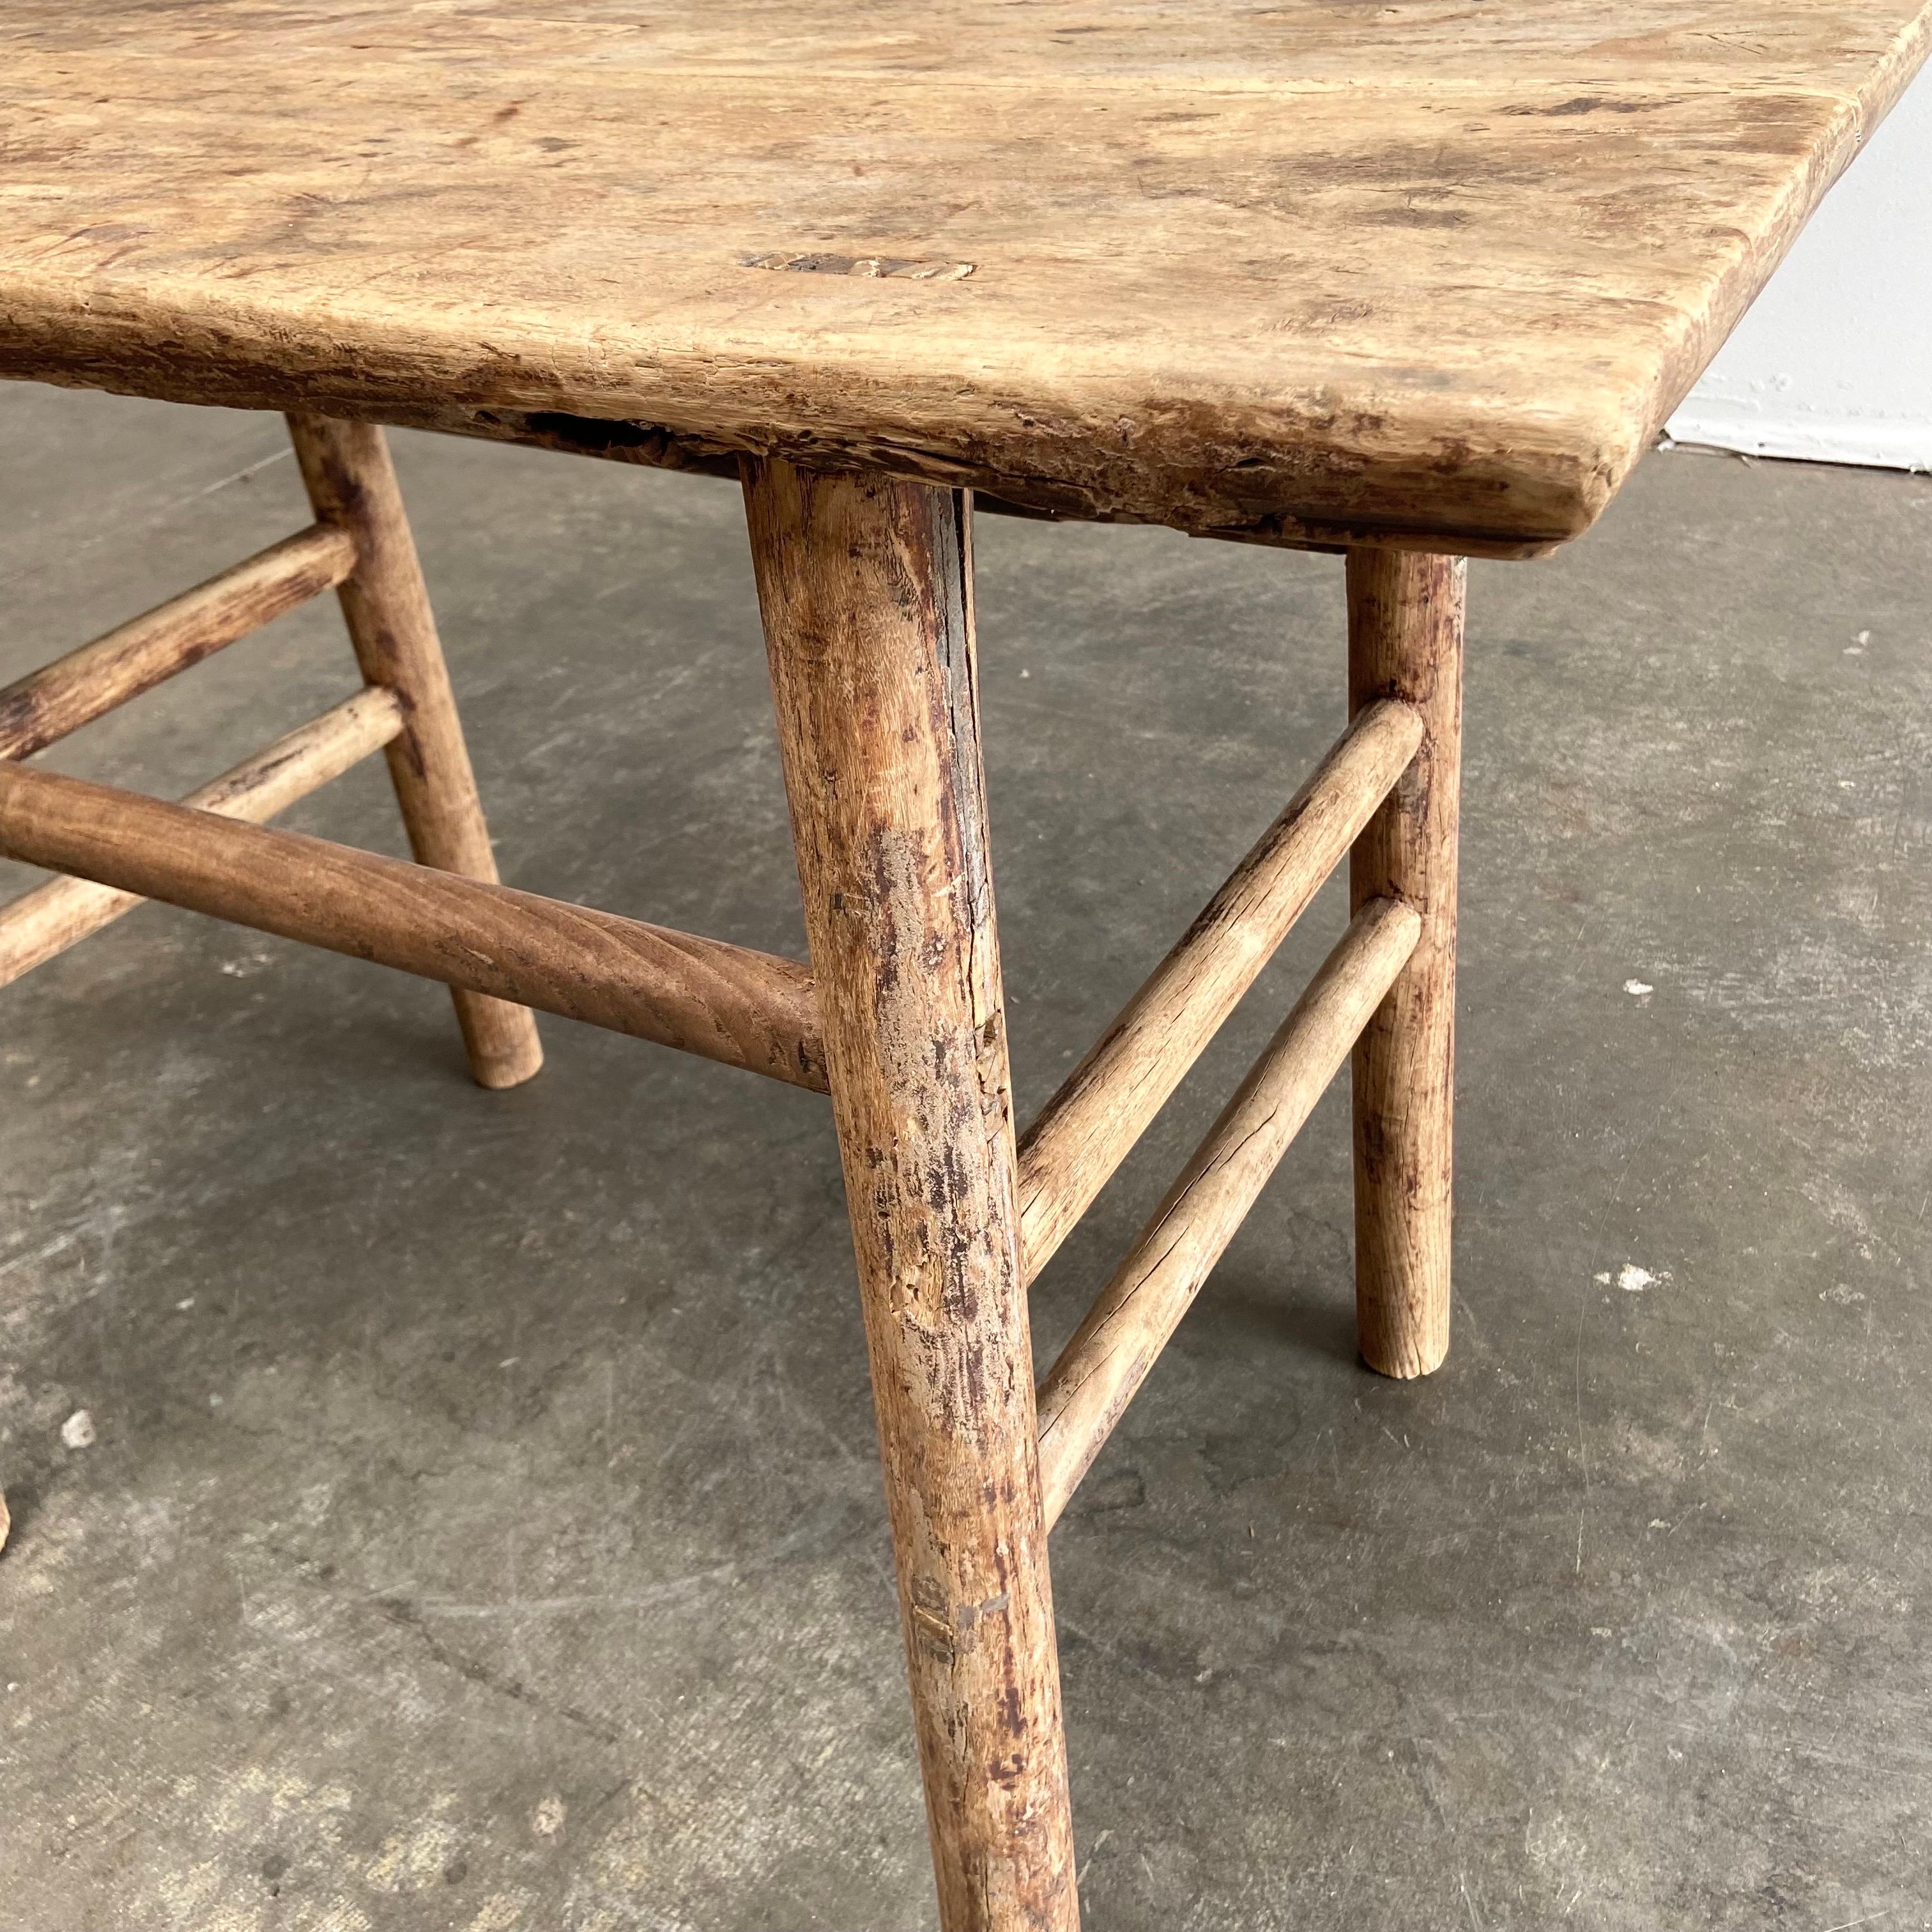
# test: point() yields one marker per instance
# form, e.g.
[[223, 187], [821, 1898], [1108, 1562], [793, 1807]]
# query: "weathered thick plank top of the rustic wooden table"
[[1295, 271]]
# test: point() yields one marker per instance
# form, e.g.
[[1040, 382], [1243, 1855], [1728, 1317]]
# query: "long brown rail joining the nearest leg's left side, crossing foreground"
[[700, 996]]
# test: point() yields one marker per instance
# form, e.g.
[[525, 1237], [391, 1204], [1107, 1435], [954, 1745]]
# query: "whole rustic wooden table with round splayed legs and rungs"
[[1409, 283]]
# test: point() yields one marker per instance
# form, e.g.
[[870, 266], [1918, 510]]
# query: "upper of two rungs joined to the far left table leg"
[[138, 656]]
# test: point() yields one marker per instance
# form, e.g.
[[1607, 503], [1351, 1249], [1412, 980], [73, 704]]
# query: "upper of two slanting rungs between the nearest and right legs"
[[1108, 1102]]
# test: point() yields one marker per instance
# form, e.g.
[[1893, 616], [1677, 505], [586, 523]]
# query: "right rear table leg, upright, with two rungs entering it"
[[1406, 640]]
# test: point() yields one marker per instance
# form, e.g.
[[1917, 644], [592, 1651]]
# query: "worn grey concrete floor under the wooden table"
[[484, 1527]]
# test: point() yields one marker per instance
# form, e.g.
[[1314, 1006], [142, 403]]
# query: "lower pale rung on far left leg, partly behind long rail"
[[65, 911]]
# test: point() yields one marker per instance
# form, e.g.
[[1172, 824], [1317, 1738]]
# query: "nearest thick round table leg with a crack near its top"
[[867, 592]]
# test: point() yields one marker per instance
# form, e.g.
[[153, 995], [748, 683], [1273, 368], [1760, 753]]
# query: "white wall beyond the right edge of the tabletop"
[[1834, 362]]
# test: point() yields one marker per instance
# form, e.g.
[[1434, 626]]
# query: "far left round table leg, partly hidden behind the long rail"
[[385, 604]]
